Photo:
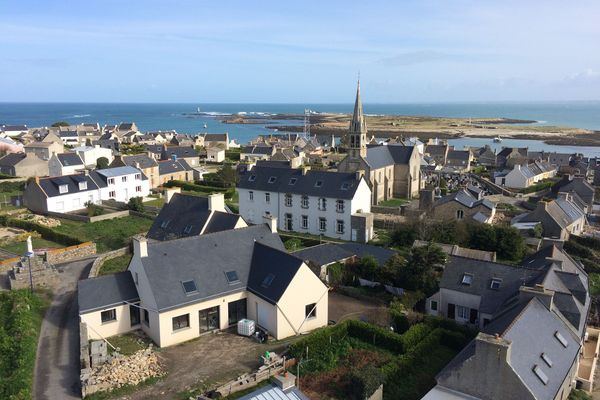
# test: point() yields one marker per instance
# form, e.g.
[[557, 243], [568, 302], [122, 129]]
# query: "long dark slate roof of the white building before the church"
[[338, 185]]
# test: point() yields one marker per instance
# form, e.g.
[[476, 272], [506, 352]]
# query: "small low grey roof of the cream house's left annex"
[[106, 291]]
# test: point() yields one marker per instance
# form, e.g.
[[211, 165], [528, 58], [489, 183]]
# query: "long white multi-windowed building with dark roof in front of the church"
[[332, 204]]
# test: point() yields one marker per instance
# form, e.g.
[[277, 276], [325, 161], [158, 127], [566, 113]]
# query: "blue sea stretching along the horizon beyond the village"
[[192, 118]]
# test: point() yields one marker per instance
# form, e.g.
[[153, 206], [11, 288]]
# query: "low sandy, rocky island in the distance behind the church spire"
[[425, 127]]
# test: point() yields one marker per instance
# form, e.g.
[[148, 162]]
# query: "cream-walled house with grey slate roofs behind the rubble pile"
[[180, 289]]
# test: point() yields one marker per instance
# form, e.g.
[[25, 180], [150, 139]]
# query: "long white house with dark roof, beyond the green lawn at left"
[[71, 192]]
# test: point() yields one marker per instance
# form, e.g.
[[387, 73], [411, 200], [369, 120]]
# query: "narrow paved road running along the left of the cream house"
[[57, 365]]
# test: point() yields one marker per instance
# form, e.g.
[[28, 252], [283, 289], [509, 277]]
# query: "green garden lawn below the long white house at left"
[[109, 234]]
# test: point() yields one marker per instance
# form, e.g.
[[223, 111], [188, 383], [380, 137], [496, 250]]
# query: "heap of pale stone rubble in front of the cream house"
[[119, 370]]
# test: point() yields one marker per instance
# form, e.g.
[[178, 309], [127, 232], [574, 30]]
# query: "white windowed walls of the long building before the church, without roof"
[[306, 214]]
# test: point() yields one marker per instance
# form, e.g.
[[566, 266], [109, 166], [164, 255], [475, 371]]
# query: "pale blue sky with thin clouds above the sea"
[[242, 51]]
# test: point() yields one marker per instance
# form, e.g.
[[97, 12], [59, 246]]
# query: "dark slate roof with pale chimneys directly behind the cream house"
[[187, 215]]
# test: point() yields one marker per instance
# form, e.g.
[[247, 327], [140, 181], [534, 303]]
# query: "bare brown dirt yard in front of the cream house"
[[206, 362]]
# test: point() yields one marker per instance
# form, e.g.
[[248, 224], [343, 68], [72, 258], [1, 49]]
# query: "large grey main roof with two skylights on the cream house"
[[204, 259]]
